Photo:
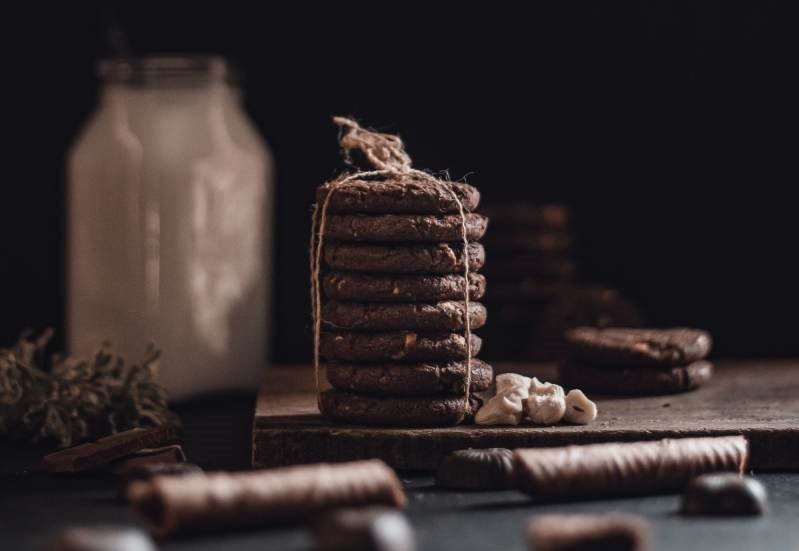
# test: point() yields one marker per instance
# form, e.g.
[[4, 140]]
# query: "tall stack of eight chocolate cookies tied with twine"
[[393, 311]]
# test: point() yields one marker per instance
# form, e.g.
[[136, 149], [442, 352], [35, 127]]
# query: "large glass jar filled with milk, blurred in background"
[[169, 224]]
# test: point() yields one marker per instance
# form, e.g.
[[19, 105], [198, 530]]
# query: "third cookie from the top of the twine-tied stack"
[[441, 258]]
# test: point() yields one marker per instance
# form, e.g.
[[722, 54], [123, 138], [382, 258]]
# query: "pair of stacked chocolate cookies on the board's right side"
[[636, 361]]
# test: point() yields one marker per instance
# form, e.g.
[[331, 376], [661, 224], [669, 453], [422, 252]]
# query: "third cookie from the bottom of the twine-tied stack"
[[396, 346]]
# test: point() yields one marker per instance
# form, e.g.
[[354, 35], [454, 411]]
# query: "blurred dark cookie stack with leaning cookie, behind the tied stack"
[[534, 298]]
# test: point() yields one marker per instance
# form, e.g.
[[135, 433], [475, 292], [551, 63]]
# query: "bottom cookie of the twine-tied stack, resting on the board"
[[361, 409]]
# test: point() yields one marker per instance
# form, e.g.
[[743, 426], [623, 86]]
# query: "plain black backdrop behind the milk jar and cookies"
[[665, 125]]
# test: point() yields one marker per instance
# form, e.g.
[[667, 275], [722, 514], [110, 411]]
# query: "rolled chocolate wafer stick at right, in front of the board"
[[634, 468]]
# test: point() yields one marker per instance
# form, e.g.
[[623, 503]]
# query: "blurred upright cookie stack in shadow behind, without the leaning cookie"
[[532, 262]]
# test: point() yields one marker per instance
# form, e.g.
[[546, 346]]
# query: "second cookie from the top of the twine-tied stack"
[[412, 228]]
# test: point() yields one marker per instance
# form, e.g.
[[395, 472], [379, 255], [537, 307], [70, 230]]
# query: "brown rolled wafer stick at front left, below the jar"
[[204, 502]]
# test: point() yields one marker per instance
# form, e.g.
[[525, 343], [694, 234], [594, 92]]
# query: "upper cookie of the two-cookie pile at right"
[[638, 347]]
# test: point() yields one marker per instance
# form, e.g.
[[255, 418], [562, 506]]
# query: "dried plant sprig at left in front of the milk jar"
[[69, 400]]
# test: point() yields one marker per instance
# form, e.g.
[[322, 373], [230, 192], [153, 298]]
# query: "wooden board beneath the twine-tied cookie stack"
[[759, 399]]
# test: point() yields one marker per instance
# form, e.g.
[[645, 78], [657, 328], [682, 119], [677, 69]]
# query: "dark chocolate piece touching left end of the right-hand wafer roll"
[[477, 469]]
